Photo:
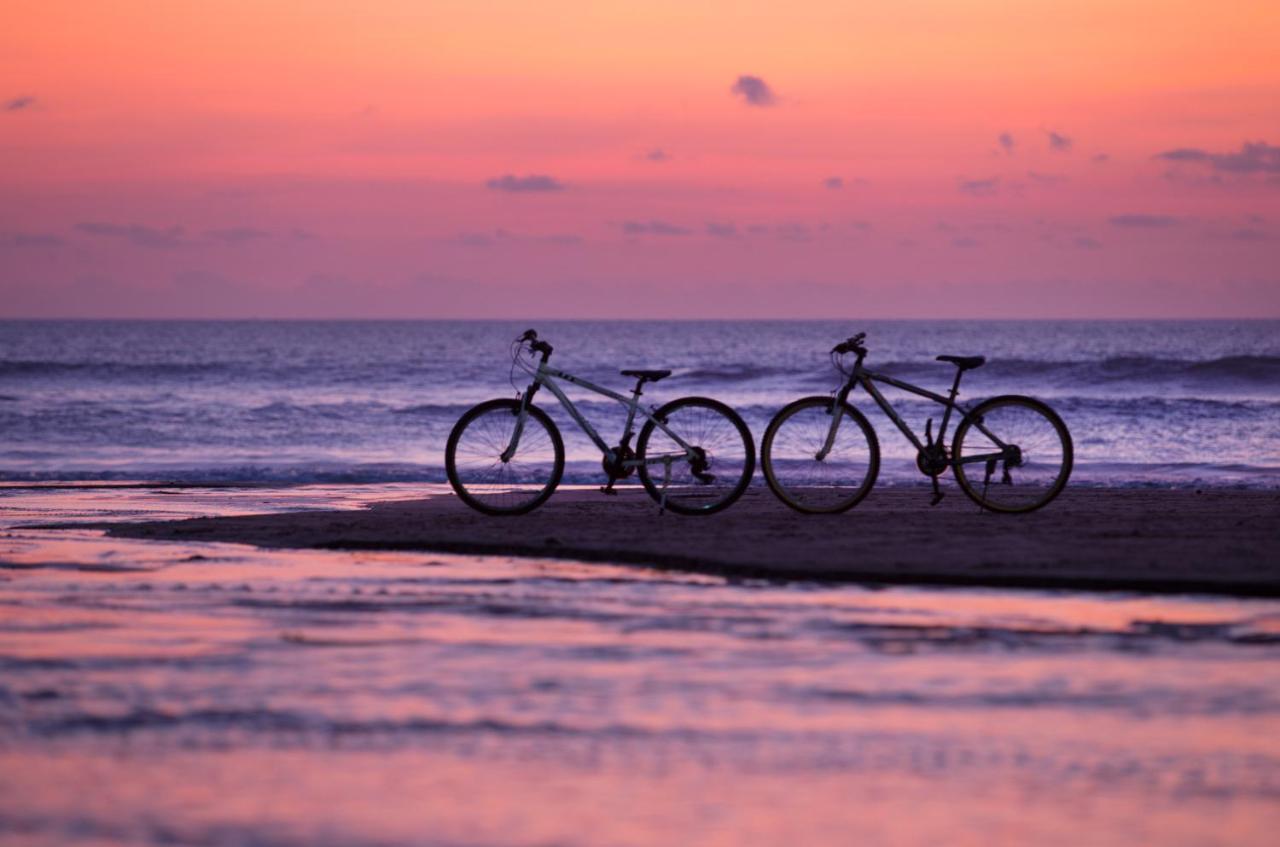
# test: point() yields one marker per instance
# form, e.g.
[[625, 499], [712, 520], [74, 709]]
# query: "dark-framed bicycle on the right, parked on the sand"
[[817, 464]]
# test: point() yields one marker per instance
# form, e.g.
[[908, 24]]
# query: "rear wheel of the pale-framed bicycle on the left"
[[726, 456]]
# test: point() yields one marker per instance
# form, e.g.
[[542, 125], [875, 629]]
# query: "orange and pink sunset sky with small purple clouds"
[[665, 159]]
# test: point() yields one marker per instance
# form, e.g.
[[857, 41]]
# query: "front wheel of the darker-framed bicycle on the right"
[[833, 484]]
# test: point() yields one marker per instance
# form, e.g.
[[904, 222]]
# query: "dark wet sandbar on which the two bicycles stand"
[[1217, 542]]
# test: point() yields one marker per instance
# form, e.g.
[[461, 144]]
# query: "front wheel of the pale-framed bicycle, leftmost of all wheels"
[[473, 459]]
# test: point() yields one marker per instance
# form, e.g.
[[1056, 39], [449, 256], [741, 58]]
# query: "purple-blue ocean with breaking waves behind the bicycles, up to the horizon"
[[1162, 404]]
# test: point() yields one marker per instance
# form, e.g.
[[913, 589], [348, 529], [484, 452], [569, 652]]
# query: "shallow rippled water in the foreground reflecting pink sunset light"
[[203, 694]]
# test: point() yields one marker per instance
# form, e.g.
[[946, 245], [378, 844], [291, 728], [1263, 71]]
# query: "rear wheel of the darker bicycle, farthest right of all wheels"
[[1040, 468]]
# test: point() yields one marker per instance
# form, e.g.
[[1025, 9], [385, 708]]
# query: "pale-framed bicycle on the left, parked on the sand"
[[508, 456]]
